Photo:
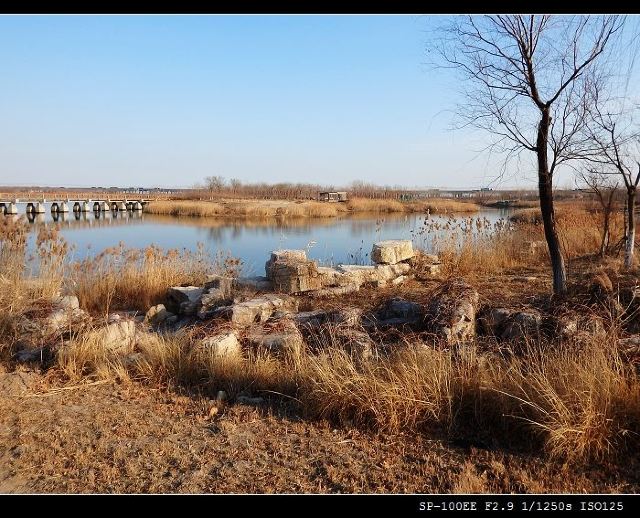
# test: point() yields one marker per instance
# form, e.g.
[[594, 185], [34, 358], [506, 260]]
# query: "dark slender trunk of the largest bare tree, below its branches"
[[545, 188]]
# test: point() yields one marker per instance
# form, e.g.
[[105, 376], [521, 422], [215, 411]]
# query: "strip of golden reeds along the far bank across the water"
[[304, 208]]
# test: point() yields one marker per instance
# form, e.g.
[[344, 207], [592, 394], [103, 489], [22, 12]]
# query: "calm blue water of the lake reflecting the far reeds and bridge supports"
[[345, 239]]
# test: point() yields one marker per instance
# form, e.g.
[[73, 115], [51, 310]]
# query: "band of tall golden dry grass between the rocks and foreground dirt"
[[580, 404]]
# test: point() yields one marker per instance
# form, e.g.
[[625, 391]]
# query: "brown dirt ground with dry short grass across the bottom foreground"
[[112, 438]]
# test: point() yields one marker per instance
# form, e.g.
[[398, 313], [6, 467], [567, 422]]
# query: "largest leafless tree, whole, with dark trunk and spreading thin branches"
[[525, 81]]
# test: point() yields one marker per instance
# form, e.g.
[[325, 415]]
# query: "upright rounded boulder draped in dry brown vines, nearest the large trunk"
[[452, 312]]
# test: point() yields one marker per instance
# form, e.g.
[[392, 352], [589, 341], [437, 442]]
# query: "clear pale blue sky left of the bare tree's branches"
[[168, 100]]
